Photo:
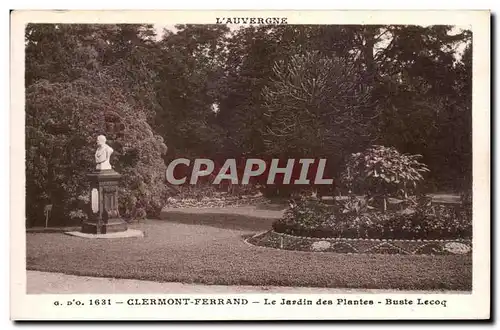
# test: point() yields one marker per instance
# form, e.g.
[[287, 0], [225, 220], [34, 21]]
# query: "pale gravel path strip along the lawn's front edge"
[[57, 283]]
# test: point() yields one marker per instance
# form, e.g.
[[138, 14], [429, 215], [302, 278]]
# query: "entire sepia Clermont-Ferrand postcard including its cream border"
[[250, 165]]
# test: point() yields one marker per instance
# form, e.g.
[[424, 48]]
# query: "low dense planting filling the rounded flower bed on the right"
[[316, 219]]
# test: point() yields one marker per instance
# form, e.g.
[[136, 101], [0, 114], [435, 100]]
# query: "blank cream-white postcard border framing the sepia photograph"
[[462, 306]]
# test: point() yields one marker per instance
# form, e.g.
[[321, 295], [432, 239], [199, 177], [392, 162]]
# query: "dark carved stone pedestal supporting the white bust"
[[104, 217]]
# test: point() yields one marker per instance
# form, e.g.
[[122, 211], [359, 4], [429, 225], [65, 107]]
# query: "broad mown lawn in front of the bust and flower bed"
[[181, 252]]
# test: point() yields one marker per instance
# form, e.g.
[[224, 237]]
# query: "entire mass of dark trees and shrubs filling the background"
[[257, 91]]
